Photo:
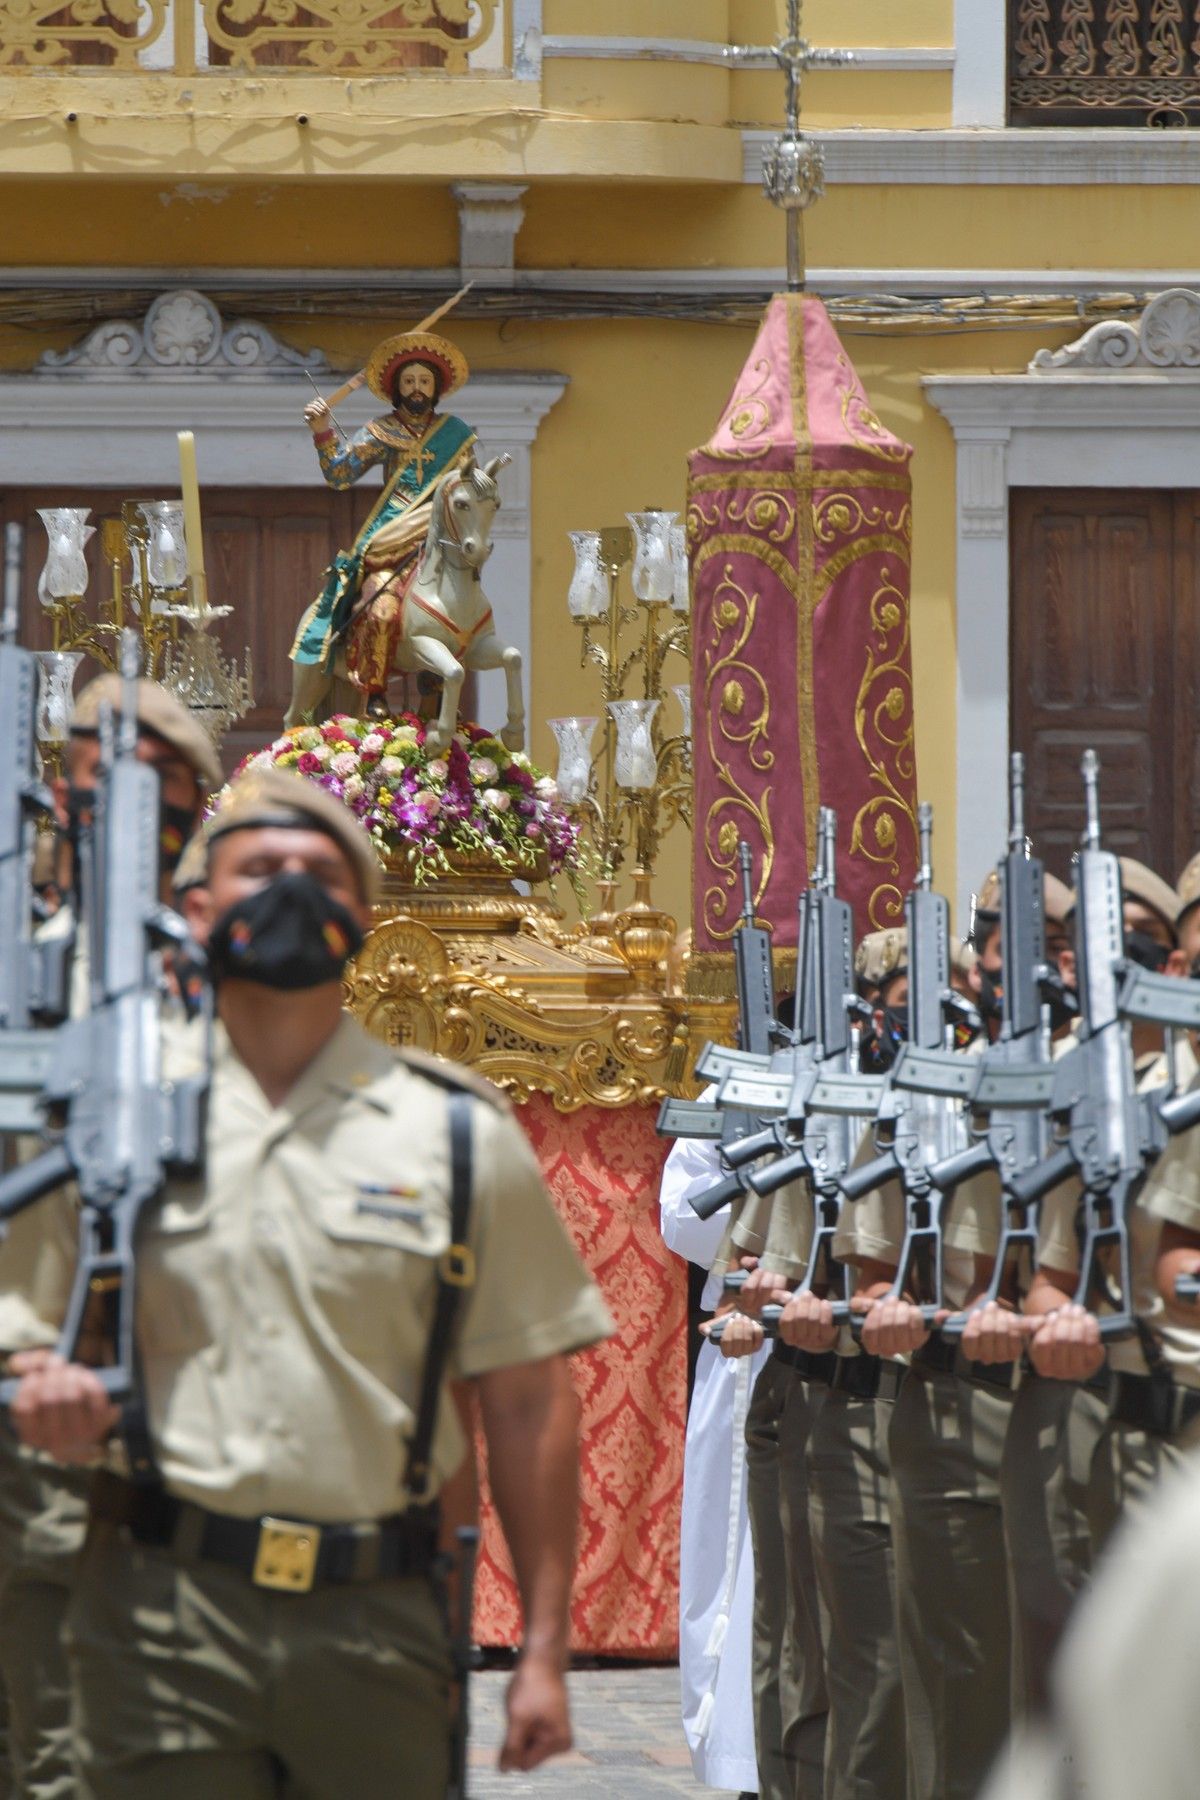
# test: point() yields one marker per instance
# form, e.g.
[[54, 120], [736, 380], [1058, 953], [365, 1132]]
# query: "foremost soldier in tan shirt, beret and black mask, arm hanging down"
[[264, 1619]]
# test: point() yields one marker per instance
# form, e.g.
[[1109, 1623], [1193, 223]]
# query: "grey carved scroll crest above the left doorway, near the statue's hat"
[[181, 330]]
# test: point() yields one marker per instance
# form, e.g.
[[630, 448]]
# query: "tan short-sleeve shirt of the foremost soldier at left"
[[285, 1302]]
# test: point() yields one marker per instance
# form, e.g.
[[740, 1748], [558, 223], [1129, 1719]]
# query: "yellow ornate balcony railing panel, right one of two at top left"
[[348, 35]]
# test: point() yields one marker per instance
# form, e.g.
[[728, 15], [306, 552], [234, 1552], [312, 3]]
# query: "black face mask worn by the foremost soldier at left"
[[289, 935]]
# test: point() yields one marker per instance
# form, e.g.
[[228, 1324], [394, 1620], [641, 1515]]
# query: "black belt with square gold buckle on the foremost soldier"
[[291, 1556]]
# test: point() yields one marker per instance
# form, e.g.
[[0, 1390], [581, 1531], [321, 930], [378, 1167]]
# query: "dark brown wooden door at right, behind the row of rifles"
[[1104, 654]]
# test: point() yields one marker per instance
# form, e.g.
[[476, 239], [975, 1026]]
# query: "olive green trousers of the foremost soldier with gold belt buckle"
[[192, 1684]]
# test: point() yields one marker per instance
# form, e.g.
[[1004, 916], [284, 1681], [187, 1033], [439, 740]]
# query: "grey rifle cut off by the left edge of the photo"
[[33, 976]]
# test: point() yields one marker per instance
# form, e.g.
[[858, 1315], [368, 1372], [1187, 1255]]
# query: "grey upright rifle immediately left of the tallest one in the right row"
[[1016, 1075]]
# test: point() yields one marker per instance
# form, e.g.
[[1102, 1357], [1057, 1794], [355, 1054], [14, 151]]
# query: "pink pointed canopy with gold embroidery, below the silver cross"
[[800, 525]]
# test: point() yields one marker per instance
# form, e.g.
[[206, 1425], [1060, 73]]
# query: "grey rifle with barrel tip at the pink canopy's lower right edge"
[[920, 1120]]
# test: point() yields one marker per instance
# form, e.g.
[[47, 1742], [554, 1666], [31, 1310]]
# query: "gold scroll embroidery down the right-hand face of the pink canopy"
[[886, 699]]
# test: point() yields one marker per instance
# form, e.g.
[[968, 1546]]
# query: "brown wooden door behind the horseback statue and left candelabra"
[[265, 557]]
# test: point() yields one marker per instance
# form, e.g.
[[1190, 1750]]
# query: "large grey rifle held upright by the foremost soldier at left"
[[125, 1126]]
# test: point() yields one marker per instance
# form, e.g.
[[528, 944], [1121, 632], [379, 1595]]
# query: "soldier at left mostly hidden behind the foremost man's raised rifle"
[[42, 1507]]
